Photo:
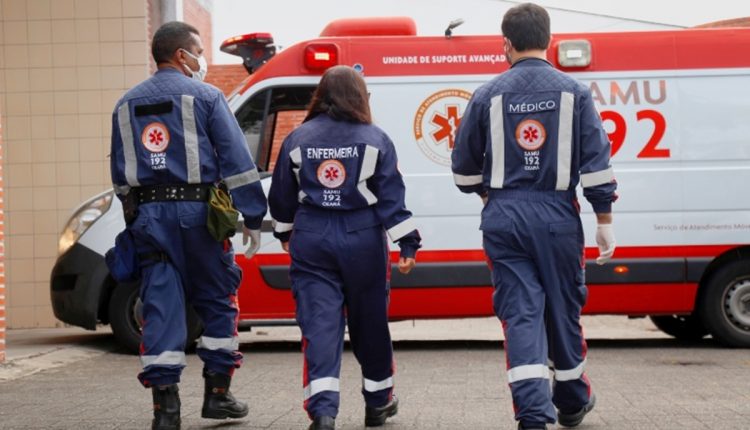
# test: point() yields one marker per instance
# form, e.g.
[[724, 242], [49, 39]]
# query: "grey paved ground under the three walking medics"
[[450, 375]]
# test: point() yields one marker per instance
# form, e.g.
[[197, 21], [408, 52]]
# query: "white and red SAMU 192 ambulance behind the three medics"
[[676, 107]]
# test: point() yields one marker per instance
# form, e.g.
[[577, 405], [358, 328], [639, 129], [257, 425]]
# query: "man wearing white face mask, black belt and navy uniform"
[[175, 143]]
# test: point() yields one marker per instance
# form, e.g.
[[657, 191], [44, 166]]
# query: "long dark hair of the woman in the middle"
[[342, 94]]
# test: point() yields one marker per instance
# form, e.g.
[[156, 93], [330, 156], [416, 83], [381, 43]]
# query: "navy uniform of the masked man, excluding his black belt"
[[171, 129]]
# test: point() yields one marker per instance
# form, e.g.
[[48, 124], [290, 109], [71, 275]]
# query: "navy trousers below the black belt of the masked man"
[[200, 271]]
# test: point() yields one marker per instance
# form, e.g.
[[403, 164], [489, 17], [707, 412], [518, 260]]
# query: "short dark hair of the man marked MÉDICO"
[[527, 27]]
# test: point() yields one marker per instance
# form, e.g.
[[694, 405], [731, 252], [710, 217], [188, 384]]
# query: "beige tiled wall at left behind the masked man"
[[63, 65]]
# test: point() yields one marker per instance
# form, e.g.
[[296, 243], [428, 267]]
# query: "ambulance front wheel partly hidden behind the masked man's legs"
[[125, 318]]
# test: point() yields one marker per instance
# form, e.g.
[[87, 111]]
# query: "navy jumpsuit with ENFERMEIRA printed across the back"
[[335, 195]]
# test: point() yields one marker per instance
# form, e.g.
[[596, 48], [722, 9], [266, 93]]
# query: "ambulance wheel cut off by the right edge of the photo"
[[724, 304]]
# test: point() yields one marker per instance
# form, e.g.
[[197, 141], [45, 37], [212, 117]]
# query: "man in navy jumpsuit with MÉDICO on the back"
[[528, 137]]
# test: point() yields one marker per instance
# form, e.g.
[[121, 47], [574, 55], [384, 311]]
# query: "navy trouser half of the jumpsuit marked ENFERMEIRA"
[[333, 270]]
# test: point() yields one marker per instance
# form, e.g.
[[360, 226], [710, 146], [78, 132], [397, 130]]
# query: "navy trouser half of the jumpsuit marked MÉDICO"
[[536, 249]]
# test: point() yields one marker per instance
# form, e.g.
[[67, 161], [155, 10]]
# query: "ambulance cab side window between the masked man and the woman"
[[268, 117]]
